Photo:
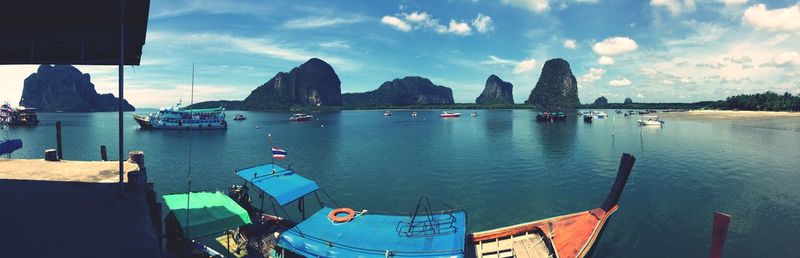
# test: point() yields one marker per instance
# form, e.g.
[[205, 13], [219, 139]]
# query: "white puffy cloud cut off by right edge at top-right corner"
[[780, 19]]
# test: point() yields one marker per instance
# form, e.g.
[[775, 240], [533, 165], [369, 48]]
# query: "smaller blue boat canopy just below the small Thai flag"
[[282, 184]]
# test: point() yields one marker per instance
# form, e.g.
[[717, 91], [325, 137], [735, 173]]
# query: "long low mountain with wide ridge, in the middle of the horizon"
[[411, 90]]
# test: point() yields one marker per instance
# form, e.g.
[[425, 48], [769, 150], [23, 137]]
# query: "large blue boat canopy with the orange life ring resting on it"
[[372, 234]]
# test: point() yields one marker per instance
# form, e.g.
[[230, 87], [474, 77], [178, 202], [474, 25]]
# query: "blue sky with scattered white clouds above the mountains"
[[650, 51]]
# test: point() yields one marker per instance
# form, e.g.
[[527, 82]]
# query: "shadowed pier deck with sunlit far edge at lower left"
[[75, 209]]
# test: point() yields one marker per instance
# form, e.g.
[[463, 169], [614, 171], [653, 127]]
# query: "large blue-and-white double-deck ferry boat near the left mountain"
[[180, 118]]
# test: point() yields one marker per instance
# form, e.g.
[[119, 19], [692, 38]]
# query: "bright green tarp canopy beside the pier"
[[209, 213]]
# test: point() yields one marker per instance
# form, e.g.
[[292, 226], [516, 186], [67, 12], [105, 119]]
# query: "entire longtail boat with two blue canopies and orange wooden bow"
[[345, 232]]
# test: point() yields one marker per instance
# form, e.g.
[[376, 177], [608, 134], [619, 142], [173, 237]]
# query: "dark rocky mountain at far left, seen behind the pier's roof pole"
[[65, 88]]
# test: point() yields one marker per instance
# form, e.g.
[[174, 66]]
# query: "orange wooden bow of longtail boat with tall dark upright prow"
[[572, 235]]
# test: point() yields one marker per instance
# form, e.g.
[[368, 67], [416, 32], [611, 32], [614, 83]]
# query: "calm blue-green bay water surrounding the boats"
[[502, 167]]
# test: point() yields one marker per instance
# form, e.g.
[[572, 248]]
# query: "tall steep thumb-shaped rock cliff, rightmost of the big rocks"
[[556, 88]]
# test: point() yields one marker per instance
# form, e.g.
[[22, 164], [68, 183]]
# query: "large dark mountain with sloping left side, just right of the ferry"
[[314, 83]]
